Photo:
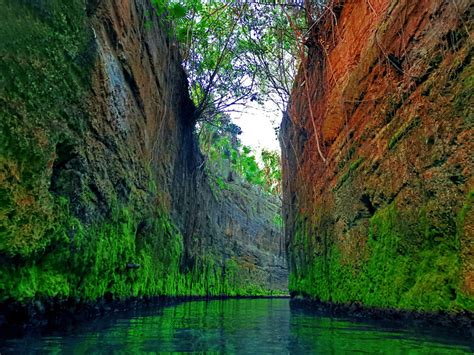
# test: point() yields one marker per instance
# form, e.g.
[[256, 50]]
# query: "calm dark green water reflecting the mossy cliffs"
[[248, 326]]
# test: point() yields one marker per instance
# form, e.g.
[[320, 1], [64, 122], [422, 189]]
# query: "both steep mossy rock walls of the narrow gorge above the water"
[[106, 194]]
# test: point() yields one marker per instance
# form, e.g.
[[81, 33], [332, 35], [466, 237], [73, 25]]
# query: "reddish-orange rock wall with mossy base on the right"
[[384, 218]]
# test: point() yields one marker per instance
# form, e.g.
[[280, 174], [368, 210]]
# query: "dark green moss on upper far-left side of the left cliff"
[[45, 59]]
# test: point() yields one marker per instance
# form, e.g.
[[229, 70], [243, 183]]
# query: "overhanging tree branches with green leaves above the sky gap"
[[233, 52]]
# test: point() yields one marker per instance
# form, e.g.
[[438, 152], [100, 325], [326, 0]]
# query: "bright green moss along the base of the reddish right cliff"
[[408, 266]]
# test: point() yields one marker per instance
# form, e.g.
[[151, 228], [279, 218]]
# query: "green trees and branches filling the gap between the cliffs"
[[234, 53]]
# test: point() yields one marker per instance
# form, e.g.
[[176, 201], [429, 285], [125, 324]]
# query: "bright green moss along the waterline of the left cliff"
[[94, 261]]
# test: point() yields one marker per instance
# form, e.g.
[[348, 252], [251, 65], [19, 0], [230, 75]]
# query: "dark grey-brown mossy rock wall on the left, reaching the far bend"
[[103, 189]]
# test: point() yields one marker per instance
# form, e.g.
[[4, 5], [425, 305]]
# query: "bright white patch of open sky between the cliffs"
[[258, 126]]
